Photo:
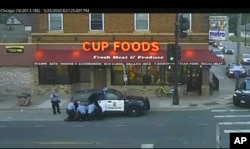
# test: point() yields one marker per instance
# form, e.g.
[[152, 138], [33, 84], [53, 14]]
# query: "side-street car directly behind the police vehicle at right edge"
[[233, 68]]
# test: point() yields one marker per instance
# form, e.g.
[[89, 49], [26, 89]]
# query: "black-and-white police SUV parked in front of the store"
[[114, 101]]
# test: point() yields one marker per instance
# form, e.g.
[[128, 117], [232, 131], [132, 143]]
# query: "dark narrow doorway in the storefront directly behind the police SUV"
[[100, 77]]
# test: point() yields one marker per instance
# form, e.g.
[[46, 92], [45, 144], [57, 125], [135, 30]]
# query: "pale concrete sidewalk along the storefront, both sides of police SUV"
[[157, 103]]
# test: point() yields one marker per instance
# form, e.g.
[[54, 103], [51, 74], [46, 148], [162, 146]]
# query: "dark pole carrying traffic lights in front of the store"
[[176, 96]]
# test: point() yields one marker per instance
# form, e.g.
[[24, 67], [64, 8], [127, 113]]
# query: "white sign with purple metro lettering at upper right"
[[218, 27]]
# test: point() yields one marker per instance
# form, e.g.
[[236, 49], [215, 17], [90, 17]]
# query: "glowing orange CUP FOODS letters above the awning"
[[122, 46]]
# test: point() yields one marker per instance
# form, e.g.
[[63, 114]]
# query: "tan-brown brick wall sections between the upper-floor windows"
[[121, 23]]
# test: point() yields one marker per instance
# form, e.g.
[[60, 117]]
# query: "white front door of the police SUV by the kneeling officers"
[[114, 102]]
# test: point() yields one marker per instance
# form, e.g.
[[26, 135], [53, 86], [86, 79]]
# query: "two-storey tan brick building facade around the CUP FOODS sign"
[[67, 32]]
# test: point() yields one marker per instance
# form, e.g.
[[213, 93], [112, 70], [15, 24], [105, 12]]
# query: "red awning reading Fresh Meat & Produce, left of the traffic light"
[[107, 57]]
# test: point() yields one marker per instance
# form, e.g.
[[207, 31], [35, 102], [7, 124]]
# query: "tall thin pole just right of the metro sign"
[[238, 47]]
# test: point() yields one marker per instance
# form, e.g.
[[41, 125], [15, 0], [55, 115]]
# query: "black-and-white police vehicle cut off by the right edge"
[[241, 96]]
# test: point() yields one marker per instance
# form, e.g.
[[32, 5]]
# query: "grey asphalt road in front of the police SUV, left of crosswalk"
[[169, 129]]
